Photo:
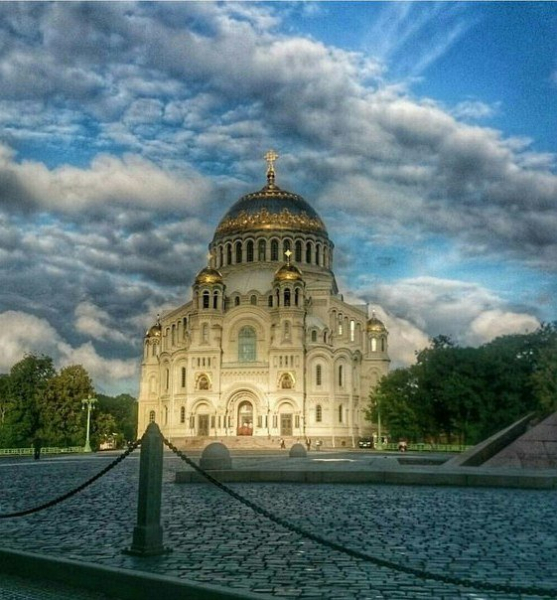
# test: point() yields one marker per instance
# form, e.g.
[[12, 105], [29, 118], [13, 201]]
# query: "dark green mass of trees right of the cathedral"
[[462, 394]]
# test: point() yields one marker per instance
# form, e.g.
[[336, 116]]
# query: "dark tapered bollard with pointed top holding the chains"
[[147, 534]]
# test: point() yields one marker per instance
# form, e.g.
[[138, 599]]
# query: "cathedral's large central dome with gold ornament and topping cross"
[[271, 208]]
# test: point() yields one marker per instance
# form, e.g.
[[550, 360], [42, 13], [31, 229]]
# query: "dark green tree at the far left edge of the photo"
[[28, 382]]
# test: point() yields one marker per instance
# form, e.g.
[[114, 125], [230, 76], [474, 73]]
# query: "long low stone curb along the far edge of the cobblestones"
[[461, 478]]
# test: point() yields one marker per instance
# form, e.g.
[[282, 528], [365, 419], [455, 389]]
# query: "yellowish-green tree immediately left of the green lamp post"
[[62, 417]]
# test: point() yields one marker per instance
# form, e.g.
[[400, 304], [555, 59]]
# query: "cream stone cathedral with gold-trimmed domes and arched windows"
[[267, 348]]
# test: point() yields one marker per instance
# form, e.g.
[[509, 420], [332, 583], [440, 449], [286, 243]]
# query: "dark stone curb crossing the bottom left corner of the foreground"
[[124, 584]]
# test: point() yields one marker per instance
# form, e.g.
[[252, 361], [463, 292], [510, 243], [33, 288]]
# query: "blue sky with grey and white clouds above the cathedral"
[[423, 133]]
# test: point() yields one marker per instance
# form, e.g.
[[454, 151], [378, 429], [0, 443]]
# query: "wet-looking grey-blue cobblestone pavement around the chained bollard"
[[496, 535]]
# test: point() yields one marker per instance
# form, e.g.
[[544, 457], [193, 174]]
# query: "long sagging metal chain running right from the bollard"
[[380, 562]]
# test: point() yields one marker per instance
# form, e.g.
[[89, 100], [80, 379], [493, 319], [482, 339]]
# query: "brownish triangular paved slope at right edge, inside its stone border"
[[535, 449]]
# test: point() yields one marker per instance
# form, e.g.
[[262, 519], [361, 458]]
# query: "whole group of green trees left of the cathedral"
[[39, 405]]
